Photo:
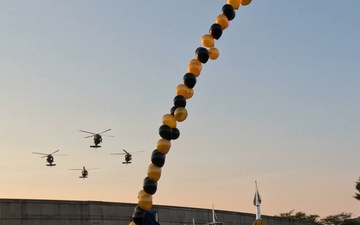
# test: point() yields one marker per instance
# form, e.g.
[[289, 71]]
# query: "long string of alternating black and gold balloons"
[[178, 112]]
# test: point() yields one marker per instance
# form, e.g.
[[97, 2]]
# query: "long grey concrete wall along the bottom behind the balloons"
[[56, 212]]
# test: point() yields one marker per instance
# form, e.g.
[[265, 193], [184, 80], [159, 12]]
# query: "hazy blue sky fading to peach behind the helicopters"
[[280, 105]]
